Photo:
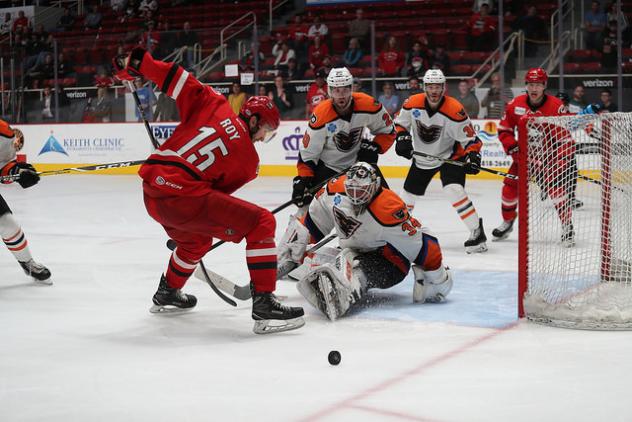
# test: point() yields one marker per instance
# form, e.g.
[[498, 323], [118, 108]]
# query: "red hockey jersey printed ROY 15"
[[210, 149]]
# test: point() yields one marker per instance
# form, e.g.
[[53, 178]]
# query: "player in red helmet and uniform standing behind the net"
[[537, 103]]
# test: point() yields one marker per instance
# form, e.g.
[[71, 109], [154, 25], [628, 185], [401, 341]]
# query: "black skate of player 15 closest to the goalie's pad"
[[272, 317]]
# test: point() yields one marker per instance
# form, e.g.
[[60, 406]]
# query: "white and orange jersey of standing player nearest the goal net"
[[445, 132]]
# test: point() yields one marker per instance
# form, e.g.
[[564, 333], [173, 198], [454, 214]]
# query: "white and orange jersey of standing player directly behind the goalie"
[[335, 141]]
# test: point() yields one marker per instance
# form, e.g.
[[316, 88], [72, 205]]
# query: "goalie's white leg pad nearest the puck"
[[333, 288]]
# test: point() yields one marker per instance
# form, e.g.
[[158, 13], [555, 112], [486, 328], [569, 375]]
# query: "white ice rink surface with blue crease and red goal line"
[[87, 349]]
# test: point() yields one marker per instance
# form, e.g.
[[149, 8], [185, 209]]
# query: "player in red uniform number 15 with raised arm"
[[188, 182]]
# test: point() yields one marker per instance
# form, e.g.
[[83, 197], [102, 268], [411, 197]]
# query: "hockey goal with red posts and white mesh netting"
[[575, 265]]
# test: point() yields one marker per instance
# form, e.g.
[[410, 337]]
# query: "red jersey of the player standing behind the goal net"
[[519, 107]]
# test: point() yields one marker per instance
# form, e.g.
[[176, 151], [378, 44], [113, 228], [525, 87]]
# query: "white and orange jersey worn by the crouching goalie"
[[384, 221]]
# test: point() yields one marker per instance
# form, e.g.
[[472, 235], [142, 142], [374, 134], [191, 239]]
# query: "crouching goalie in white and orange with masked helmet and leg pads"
[[379, 239]]
